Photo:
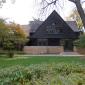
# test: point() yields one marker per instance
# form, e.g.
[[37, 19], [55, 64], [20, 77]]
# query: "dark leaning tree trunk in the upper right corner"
[[80, 10]]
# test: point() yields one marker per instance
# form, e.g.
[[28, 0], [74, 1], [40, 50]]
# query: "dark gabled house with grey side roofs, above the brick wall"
[[54, 31]]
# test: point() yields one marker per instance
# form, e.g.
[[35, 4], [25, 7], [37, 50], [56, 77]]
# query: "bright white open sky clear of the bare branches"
[[23, 11]]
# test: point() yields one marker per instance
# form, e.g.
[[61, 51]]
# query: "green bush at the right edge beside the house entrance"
[[80, 42]]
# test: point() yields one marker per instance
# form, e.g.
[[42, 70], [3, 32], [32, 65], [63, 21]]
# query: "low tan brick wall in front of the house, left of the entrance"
[[43, 49]]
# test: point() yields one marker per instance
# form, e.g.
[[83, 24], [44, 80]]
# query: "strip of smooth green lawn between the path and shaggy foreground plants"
[[27, 60]]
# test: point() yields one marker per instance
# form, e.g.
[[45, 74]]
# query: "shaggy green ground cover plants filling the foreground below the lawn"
[[44, 74]]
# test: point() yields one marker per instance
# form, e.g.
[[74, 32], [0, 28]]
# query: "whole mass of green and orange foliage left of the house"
[[12, 36]]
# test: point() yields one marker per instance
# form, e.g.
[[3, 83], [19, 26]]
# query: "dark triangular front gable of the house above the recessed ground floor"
[[54, 18]]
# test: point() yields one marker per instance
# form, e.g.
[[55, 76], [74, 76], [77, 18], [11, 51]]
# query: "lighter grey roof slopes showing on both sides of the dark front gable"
[[34, 26]]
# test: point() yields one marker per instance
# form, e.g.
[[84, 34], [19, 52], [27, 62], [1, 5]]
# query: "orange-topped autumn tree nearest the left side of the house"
[[19, 37]]
